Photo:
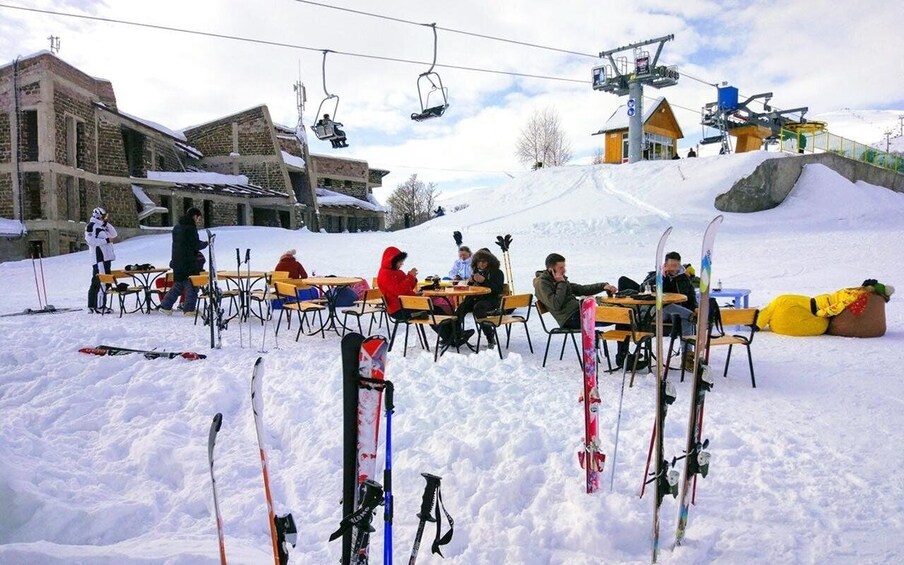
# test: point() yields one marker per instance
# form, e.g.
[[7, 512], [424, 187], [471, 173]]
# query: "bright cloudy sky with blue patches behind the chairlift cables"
[[826, 56]]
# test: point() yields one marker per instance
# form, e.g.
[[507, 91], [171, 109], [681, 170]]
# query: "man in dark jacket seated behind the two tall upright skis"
[[675, 279]]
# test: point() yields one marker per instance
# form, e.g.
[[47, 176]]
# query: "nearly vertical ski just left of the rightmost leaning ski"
[[664, 397]]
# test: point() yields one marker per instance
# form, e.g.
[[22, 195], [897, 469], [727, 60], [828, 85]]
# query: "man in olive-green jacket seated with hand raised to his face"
[[559, 296]]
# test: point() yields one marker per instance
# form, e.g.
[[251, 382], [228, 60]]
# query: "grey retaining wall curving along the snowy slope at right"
[[772, 181]]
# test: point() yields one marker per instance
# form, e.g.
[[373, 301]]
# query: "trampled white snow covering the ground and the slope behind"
[[103, 460]]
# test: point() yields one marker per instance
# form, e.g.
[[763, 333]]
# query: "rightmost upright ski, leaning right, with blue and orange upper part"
[[696, 460]]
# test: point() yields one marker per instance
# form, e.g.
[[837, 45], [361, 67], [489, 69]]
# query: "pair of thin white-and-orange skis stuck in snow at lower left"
[[282, 528]]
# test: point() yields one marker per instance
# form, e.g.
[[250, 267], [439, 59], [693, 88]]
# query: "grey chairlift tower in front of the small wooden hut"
[[616, 79]]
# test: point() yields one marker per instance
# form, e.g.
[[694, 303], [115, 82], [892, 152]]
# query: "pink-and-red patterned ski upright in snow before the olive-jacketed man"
[[591, 456]]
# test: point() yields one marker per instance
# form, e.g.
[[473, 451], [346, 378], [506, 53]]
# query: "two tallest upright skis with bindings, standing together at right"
[[696, 461]]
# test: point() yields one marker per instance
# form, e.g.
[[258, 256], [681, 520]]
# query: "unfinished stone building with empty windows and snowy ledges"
[[66, 147]]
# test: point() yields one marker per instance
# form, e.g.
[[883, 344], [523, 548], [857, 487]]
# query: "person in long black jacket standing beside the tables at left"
[[186, 245]]
